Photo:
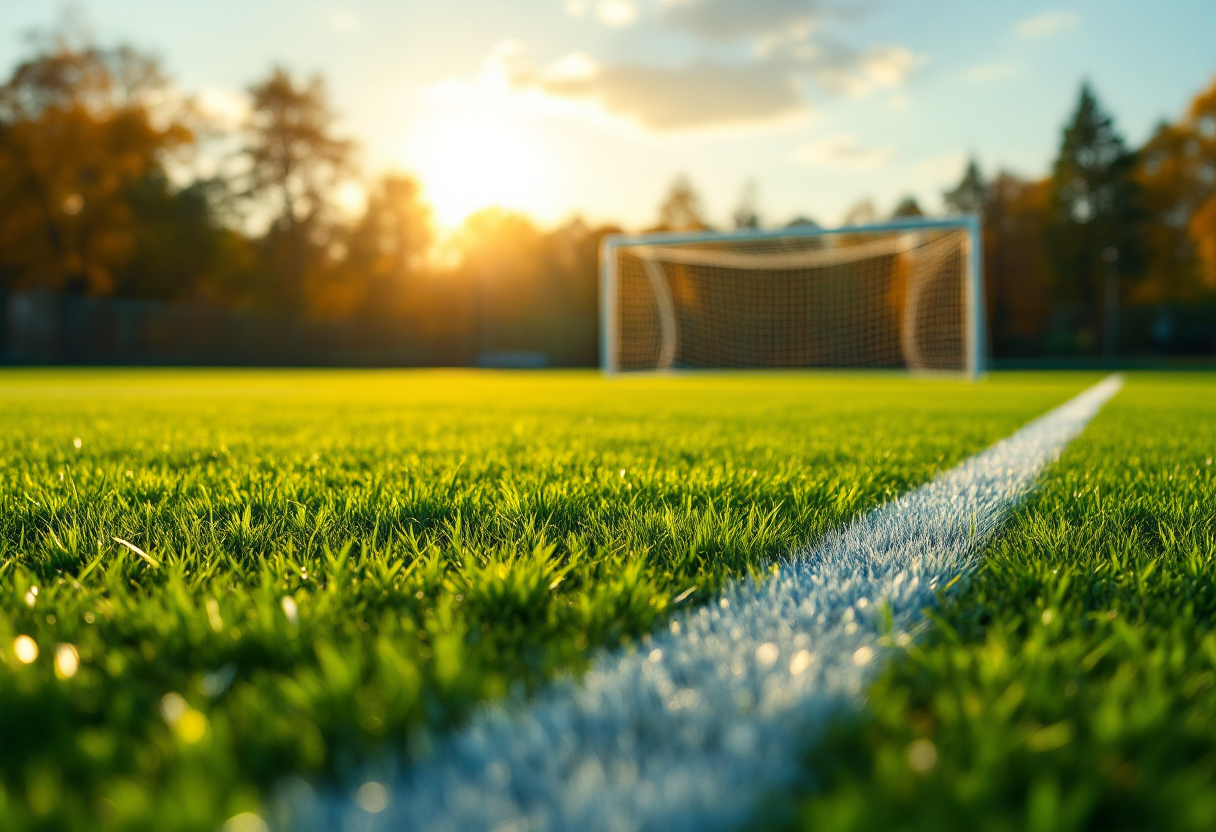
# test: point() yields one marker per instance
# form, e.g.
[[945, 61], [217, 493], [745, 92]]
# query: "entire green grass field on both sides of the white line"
[[323, 567]]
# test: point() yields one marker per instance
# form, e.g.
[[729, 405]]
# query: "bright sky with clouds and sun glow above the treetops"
[[593, 108]]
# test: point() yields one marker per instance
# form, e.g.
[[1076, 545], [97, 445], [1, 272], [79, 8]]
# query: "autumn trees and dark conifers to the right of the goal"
[[1114, 251]]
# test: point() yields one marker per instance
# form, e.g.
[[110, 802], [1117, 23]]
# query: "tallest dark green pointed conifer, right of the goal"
[[1095, 215]]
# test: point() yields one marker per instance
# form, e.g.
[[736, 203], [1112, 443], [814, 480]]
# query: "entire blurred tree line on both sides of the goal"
[[114, 184]]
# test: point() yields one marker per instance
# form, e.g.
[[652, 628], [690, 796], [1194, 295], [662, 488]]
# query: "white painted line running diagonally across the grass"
[[690, 732]]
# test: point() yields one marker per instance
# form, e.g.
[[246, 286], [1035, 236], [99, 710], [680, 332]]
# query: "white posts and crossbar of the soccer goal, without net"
[[975, 350]]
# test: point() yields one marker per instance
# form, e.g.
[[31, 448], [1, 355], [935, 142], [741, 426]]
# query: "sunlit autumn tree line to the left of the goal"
[[104, 193]]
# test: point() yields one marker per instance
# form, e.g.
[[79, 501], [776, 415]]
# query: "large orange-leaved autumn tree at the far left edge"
[[80, 130]]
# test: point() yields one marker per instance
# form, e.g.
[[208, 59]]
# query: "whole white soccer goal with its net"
[[900, 295]]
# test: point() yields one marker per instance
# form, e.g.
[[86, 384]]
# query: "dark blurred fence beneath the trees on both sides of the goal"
[[47, 329]]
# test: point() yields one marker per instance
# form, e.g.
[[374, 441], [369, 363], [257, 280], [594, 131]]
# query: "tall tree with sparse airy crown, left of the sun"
[[295, 165]]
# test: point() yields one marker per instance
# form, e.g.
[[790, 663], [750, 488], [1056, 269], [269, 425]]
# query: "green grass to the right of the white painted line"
[[1073, 685]]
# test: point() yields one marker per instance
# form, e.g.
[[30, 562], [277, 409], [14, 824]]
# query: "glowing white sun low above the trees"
[[477, 154]]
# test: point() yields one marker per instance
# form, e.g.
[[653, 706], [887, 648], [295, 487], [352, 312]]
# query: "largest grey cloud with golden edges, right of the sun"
[[790, 57]]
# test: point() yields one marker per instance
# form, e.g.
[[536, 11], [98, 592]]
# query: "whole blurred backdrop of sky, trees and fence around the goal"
[[414, 183]]
